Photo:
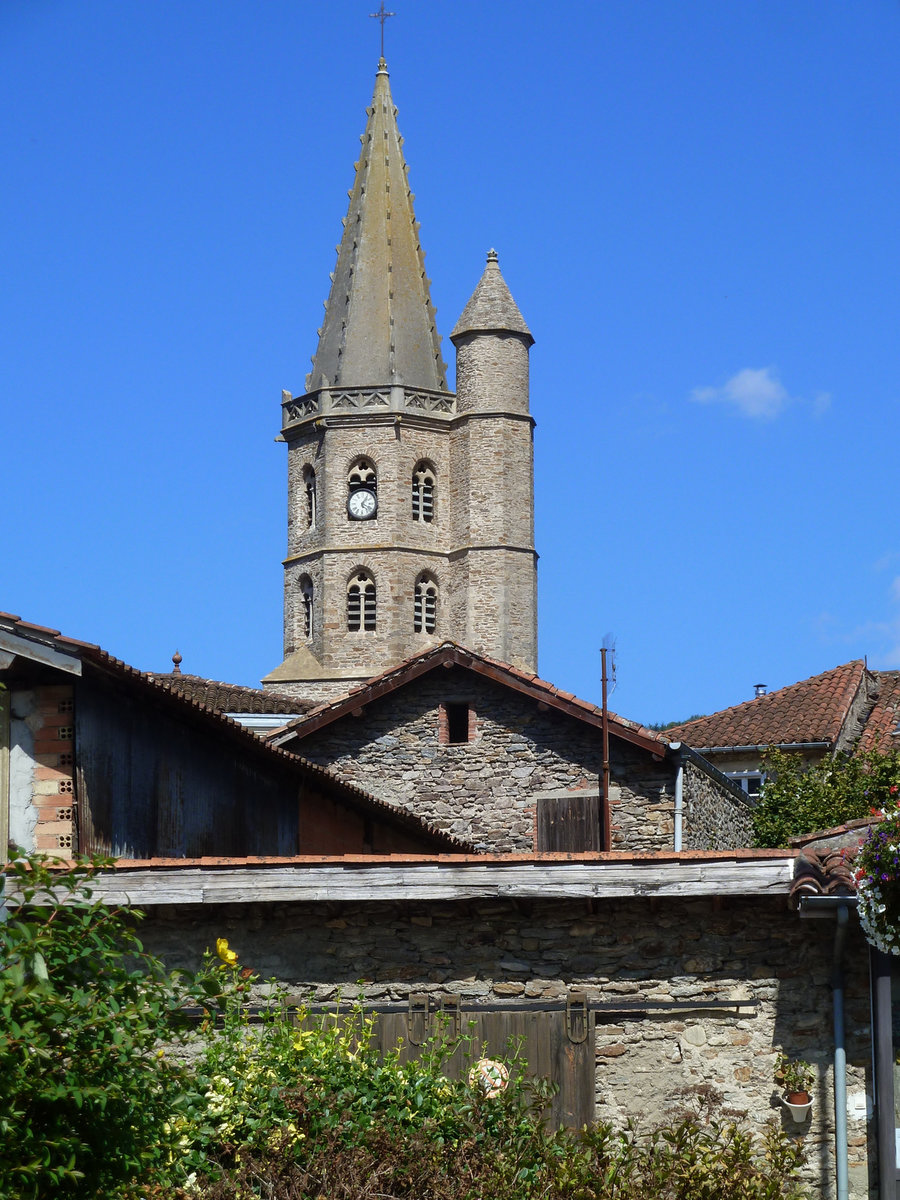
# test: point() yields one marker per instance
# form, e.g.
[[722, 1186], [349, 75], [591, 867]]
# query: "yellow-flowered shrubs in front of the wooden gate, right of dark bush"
[[308, 1107]]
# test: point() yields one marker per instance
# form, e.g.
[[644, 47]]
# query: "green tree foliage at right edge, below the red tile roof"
[[797, 800]]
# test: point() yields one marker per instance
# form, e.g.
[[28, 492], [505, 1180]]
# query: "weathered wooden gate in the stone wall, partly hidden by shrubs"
[[554, 1040]]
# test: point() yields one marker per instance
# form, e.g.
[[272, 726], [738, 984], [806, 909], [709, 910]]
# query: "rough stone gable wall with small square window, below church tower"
[[485, 790]]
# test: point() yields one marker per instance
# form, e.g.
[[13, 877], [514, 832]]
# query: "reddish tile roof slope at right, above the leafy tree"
[[812, 711]]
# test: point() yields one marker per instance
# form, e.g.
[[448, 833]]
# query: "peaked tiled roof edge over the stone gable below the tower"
[[451, 653]]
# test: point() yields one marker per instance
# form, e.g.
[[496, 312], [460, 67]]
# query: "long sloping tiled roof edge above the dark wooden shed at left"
[[103, 658]]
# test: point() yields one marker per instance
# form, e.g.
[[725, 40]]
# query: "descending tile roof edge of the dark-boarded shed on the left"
[[193, 711]]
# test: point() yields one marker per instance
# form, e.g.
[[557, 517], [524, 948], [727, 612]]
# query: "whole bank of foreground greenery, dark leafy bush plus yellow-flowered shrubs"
[[94, 1102]]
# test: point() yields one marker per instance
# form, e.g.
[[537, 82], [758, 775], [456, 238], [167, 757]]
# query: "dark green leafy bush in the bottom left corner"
[[87, 1091]]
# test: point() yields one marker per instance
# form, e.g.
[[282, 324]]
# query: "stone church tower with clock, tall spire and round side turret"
[[411, 509]]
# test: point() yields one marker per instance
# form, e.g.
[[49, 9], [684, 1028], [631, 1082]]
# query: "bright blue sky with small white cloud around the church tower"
[[697, 209]]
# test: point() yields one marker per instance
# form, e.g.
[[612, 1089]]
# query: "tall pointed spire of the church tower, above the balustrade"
[[380, 322]]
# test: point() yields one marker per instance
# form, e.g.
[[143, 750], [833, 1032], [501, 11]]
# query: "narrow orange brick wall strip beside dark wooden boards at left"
[[55, 770]]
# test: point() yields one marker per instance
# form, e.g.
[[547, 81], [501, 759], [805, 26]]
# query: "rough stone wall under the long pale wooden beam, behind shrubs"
[[691, 951]]
